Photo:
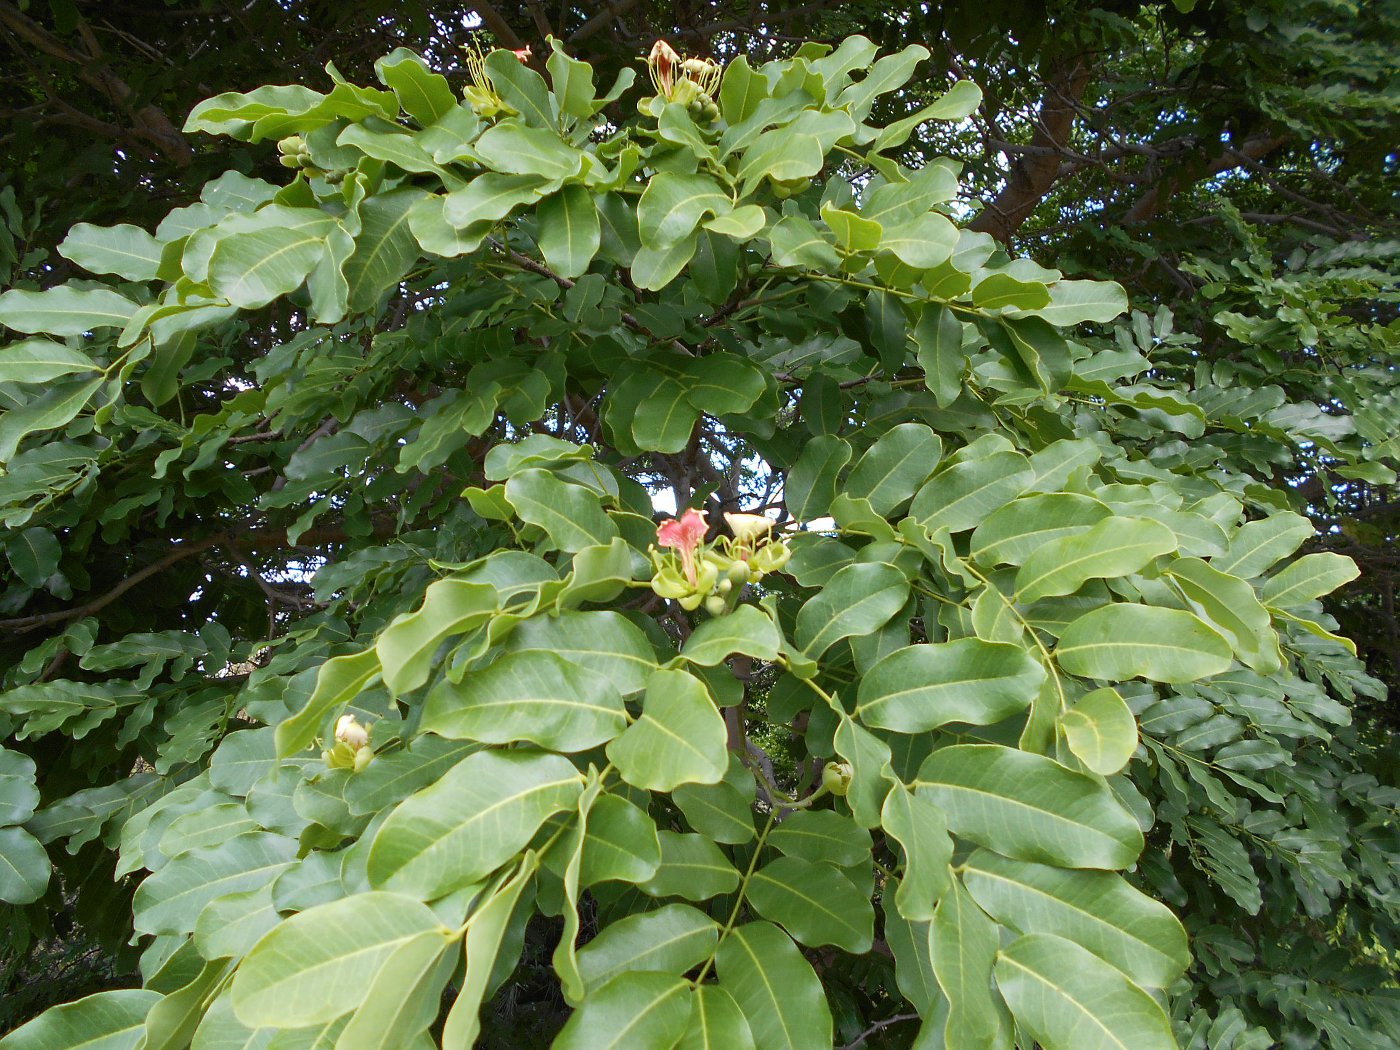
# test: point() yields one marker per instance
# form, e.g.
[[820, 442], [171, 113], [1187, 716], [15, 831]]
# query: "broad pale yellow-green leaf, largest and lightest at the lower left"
[[320, 964]]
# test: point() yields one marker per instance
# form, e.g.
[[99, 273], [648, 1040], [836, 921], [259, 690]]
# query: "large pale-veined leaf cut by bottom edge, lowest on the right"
[[1070, 1000]]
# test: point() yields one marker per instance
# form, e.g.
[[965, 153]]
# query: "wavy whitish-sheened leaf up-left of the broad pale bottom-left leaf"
[[176, 894]]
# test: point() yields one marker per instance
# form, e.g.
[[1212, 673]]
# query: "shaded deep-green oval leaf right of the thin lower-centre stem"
[[815, 902]]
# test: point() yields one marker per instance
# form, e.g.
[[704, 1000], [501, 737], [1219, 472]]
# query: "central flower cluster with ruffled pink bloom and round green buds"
[[695, 573]]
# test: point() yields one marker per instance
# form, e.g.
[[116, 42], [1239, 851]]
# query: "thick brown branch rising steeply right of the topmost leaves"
[[1038, 170]]
